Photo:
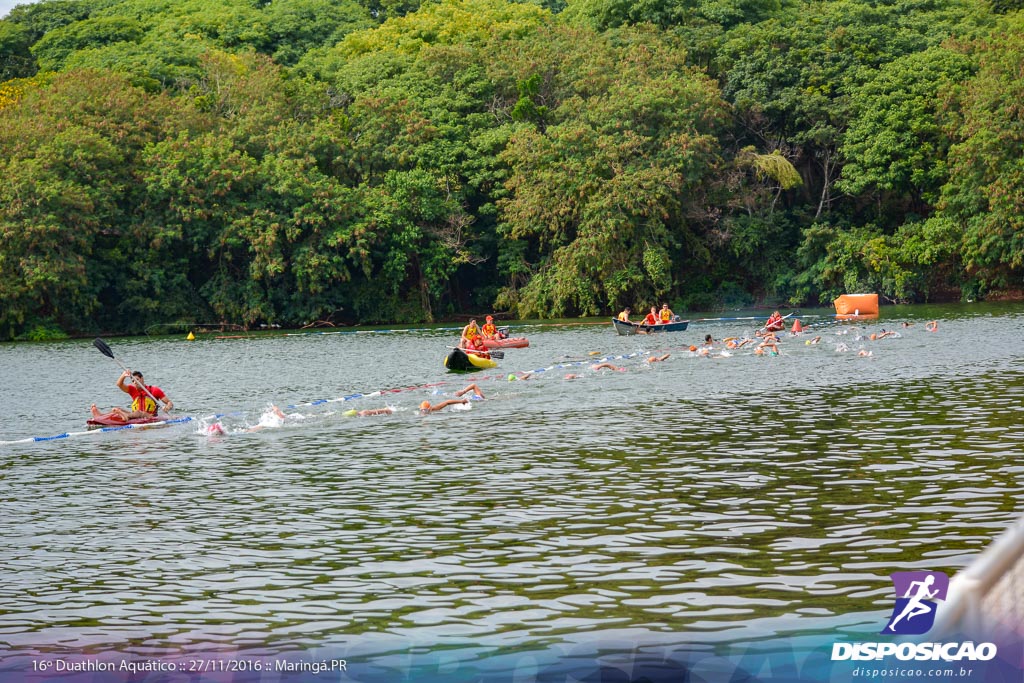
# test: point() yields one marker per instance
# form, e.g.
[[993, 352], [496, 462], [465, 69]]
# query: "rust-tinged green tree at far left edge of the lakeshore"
[[69, 151]]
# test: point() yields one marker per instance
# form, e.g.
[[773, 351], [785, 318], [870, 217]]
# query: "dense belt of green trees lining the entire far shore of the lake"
[[402, 163]]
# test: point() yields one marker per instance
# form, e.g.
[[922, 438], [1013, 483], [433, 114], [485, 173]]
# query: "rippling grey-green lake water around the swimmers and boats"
[[694, 503]]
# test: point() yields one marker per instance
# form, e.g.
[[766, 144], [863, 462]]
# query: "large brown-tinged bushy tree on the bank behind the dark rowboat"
[[607, 195]]
